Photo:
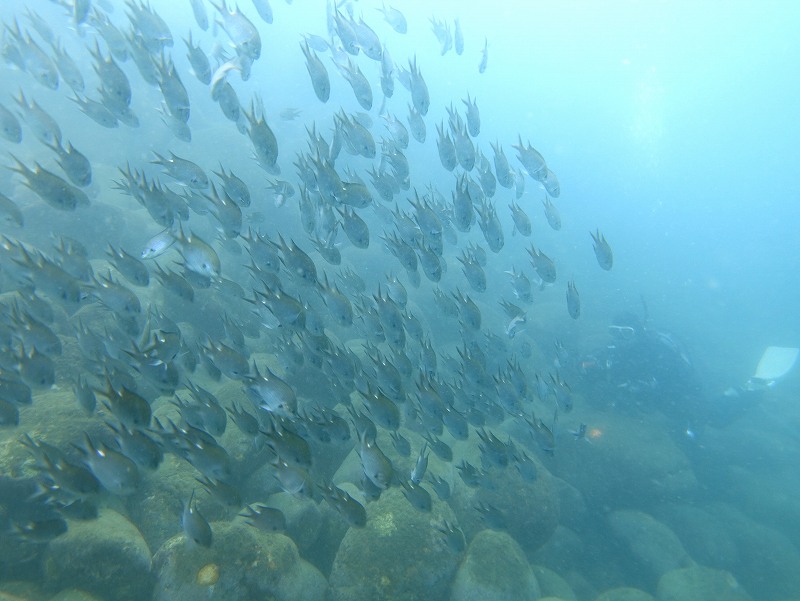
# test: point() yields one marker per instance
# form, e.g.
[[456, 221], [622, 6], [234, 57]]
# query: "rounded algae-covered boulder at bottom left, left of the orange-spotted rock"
[[106, 557]]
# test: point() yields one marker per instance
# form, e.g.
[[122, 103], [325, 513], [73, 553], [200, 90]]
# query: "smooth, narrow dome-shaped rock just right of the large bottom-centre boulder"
[[494, 569]]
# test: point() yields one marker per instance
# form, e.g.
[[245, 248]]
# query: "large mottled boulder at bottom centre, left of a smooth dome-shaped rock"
[[398, 555]]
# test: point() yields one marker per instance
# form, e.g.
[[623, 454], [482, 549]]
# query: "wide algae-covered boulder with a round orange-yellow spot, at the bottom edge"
[[242, 564]]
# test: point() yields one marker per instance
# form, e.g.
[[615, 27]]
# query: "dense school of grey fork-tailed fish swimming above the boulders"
[[353, 298]]
